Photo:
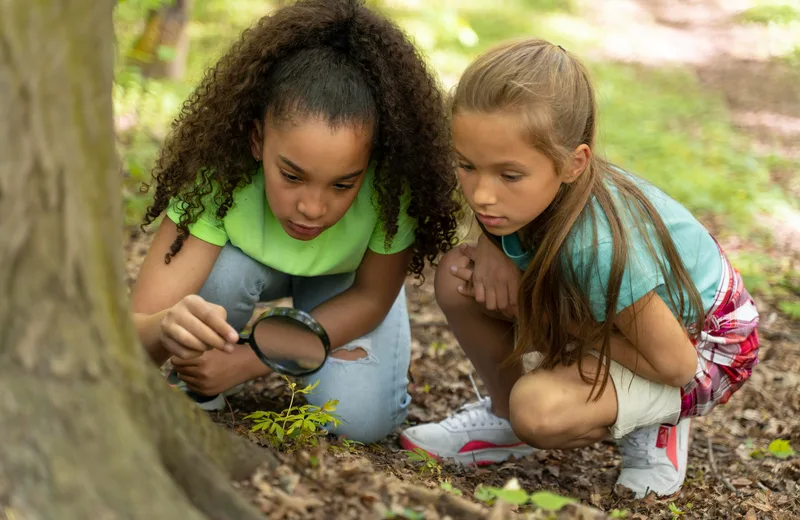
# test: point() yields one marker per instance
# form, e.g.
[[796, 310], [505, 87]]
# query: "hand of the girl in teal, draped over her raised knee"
[[493, 279]]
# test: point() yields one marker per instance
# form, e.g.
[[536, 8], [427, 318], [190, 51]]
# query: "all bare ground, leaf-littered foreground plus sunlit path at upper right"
[[731, 471]]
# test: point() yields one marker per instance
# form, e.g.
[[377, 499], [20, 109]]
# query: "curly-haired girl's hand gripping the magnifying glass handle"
[[192, 326]]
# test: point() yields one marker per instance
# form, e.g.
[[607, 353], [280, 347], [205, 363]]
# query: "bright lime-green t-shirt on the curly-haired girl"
[[251, 226]]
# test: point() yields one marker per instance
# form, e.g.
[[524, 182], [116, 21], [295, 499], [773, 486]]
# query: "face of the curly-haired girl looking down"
[[312, 172]]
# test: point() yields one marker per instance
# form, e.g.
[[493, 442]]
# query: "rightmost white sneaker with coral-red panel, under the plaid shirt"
[[654, 459]]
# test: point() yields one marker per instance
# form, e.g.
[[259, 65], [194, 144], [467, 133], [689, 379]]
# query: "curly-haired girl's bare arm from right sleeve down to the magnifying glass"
[[363, 306]]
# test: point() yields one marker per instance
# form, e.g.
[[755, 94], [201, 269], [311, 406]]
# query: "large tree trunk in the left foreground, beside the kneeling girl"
[[88, 428]]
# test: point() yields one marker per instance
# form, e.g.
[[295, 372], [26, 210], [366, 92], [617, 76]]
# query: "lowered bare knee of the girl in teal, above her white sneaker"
[[535, 413]]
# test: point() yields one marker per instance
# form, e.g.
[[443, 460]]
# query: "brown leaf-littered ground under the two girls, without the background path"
[[737, 481]]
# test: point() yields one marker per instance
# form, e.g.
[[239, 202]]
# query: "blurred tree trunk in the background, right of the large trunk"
[[162, 49]]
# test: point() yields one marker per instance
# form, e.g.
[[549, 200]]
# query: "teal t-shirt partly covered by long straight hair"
[[697, 248]]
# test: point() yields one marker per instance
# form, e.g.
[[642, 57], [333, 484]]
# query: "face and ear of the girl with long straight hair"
[[506, 181]]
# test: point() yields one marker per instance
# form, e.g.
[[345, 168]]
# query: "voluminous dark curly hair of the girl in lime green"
[[330, 58]]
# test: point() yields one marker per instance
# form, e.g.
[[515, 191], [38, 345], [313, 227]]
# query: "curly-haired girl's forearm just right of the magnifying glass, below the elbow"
[[353, 314]]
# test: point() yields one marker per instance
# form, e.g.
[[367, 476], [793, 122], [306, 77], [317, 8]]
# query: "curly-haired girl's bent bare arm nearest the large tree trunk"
[[160, 287]]
